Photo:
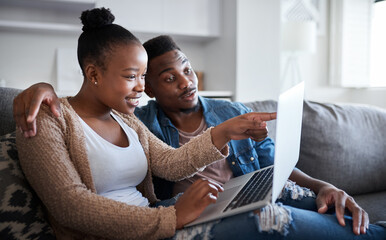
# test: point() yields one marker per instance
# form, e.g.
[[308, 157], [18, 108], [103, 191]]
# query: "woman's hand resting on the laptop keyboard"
[[194, 200]]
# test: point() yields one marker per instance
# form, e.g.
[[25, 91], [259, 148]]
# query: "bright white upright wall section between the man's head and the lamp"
[[258, 50]]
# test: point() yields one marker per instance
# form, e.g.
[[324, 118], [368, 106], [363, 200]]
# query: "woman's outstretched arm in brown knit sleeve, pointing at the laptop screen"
[[176, 164]]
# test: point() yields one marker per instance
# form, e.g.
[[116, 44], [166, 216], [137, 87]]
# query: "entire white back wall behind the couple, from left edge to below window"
[[244, 59]]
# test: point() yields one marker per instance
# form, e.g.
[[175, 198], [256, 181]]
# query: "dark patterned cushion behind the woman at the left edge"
[[21, 215]]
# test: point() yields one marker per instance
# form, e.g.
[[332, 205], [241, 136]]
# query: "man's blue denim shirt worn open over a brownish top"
[[244, 155]]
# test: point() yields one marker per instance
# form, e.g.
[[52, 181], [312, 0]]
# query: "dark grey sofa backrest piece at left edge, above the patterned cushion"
[[7, 124]]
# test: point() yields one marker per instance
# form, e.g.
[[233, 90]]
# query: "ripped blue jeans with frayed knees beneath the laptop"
[[294, 216]]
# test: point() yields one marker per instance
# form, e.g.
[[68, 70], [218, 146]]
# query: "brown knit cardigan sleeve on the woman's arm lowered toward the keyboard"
[[50, 162]]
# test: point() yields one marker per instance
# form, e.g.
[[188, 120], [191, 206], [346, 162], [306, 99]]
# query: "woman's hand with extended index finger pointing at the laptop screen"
[[249, 125]]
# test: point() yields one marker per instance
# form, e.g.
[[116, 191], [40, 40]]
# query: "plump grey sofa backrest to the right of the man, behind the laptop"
[[341, 144]]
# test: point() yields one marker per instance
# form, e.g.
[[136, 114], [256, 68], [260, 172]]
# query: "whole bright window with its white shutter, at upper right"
[[358, 48]]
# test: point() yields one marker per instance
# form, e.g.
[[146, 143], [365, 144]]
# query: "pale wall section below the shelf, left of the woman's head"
[[27, 58]]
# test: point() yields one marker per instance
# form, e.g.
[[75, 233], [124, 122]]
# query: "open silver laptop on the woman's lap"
[[259, 188]]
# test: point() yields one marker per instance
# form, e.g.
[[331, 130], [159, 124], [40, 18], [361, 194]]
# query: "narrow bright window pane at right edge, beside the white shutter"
[[378, 45]]
